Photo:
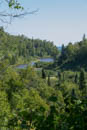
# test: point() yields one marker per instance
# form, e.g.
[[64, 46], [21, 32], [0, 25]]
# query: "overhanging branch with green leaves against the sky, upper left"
[[14, 10]]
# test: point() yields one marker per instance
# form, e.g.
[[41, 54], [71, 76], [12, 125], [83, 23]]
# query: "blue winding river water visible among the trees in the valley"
[[23, 66]]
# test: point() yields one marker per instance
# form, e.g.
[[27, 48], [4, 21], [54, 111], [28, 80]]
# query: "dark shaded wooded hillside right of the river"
[[74, 56]]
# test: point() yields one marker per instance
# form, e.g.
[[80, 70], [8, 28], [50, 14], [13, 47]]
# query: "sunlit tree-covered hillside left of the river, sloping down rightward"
[[14, 48]]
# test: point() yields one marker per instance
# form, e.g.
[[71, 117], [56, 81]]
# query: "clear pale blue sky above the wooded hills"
[[60, 21]]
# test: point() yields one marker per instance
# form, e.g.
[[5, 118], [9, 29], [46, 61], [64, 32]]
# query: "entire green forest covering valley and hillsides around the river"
[[46, 96]]
